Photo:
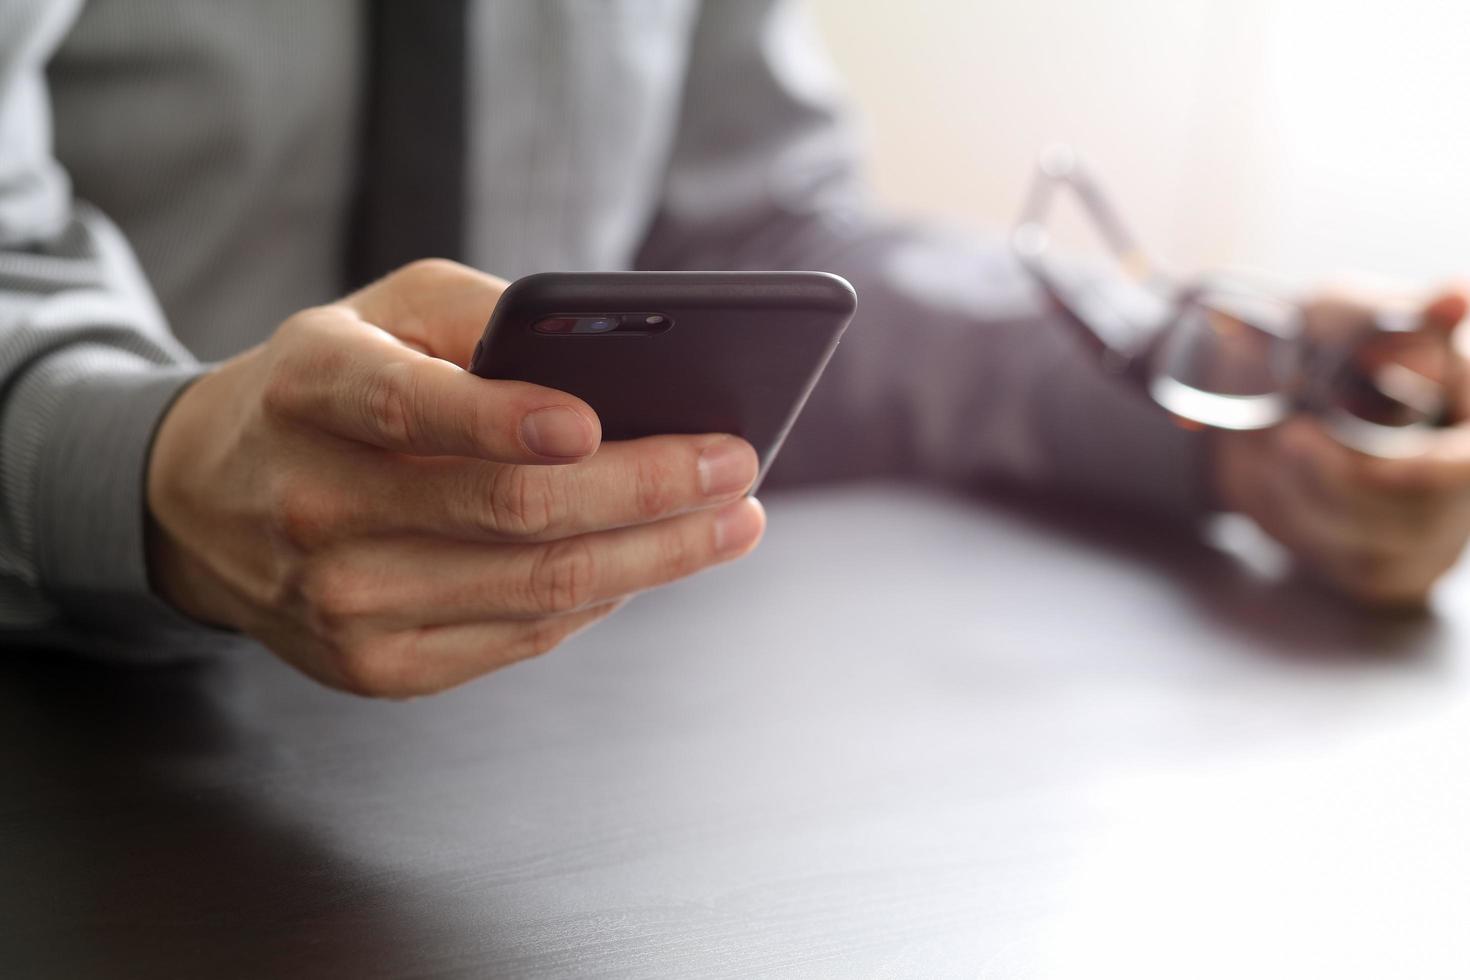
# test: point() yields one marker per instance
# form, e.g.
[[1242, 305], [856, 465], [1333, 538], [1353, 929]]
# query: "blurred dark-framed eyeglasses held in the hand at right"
[[1227, 355]]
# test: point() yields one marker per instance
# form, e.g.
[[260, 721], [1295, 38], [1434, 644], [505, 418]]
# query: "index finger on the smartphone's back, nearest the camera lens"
[[359, 384]]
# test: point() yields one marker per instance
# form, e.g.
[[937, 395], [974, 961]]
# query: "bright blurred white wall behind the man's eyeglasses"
[[1309, 137]]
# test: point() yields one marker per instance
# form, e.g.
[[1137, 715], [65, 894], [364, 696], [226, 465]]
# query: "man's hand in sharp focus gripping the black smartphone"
[[393, 525]]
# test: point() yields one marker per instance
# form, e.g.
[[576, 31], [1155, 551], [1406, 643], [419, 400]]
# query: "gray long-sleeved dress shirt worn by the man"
[[177, 176]]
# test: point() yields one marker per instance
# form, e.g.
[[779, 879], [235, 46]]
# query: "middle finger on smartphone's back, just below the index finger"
[[623, 484]]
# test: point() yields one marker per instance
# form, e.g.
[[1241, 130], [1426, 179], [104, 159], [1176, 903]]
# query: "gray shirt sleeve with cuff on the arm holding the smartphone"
[[87, 368]]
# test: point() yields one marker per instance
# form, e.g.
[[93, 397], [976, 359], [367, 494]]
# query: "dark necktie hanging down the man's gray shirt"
[[411, 189]]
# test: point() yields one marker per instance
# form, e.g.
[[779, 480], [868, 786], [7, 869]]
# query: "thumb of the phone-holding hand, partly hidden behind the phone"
[[434, 305]]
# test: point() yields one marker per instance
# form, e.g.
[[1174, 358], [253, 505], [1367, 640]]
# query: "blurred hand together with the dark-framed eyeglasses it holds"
[[1338, 424]]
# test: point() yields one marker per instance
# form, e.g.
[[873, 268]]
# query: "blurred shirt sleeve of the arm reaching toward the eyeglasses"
[[953, 368]]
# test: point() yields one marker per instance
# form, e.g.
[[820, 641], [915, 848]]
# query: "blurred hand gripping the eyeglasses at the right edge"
[[1381, 530]]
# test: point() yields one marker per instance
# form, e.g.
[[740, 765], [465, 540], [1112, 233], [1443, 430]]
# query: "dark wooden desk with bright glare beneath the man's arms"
[[912, 737]]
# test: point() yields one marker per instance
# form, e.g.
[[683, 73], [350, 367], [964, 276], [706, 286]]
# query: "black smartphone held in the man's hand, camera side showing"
[[667, 353]]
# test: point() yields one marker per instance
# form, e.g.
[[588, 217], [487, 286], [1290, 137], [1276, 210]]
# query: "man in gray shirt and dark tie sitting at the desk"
[[187, 181]]
